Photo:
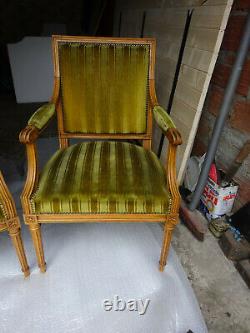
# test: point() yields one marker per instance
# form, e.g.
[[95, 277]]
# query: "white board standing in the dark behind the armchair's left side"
[[32, 69]]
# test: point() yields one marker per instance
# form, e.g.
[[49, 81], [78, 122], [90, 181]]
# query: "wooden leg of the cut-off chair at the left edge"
[[18, 245]]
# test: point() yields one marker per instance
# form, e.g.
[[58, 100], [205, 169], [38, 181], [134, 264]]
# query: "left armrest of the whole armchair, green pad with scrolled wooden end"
[[37, 123]]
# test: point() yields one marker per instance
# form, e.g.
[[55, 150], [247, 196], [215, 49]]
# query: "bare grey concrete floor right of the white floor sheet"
[[223, 296]]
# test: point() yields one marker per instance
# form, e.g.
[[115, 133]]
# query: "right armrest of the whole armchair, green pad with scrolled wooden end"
[[167, 125]]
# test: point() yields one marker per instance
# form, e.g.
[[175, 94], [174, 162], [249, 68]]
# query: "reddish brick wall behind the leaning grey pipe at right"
[[237, 128]]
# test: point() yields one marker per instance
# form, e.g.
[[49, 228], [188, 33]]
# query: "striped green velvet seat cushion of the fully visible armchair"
[[102, 177]]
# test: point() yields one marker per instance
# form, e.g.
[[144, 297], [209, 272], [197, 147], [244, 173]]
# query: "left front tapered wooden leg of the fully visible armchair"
[[35, 231]]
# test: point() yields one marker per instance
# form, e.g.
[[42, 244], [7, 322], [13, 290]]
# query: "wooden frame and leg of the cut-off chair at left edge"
[[11, 224]]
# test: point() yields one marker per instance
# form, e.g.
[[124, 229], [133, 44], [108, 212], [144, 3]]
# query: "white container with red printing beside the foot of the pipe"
[[217, 200]]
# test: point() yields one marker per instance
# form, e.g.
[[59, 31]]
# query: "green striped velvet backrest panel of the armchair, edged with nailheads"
[[104, 87]]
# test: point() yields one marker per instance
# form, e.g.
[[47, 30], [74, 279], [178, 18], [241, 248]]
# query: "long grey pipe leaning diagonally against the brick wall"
[[224, 110]]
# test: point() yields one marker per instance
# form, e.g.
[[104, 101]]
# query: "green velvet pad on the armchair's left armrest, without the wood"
[[41, 117]]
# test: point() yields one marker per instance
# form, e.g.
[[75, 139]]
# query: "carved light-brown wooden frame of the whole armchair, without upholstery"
[[29, 135]]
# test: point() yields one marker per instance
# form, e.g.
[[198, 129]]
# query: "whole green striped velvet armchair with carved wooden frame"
[[104, 93]]
